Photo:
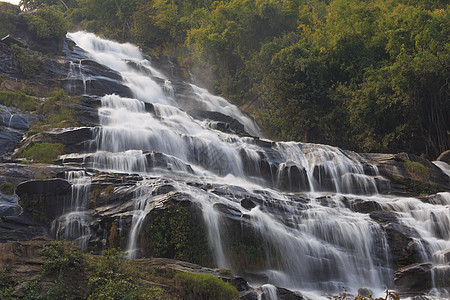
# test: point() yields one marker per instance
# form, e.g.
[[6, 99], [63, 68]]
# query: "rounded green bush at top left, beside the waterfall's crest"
[[47, 22]]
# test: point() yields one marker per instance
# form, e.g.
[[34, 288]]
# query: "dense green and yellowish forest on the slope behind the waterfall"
[[364, 75]]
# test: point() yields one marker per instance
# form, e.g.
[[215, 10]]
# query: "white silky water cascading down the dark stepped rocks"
[[316, 241]]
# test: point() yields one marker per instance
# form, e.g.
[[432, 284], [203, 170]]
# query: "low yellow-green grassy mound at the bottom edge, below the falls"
[[205, 286]]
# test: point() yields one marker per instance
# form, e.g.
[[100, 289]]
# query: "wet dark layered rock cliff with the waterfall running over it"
[[293, 215]]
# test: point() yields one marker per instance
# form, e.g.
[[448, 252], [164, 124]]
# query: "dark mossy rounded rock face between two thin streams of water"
[[179, 233]]
